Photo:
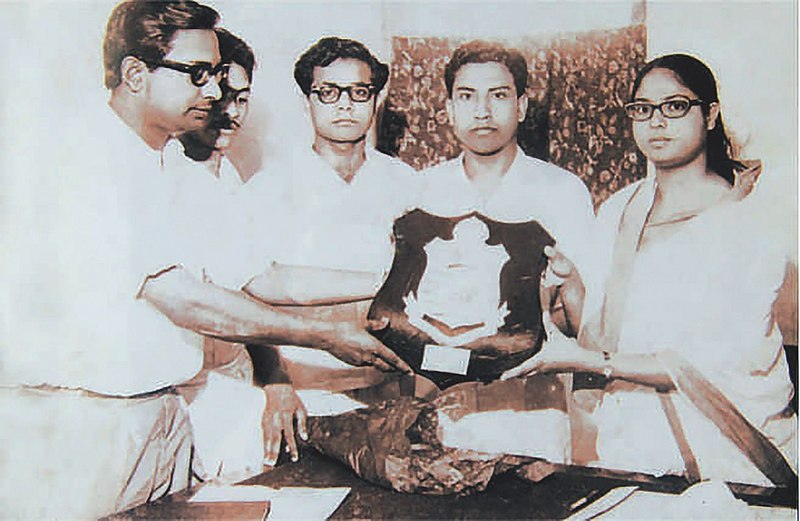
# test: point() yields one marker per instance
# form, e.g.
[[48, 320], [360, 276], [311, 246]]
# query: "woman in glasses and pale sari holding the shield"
[[680, 328]]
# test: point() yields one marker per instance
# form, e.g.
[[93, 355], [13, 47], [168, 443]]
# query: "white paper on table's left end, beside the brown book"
[[285, 503]]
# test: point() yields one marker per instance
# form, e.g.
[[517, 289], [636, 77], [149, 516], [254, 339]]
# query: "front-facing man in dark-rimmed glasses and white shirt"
[[336, 198]]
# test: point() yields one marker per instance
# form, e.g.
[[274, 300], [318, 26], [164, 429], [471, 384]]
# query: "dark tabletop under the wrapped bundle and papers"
[[507, 496]]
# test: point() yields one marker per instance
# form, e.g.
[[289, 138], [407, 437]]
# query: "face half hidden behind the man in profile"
[[228, 114]]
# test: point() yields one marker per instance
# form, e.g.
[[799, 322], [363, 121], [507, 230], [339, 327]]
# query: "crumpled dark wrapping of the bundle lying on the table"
[[396, 443]]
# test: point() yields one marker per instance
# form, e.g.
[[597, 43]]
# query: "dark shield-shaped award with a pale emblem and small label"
[[461, 301]]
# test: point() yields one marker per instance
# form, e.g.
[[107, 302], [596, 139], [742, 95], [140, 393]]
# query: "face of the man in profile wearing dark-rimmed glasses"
[[174, 103]]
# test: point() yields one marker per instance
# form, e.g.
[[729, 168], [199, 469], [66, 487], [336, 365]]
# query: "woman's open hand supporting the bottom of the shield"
[[559, 356]]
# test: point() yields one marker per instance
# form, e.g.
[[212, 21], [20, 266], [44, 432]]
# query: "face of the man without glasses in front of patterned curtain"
[[484, 108]]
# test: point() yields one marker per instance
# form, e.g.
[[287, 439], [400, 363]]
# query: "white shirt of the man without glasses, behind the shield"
[[531, 190]]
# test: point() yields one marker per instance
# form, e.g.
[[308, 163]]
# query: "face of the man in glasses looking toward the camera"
[[345, 120]]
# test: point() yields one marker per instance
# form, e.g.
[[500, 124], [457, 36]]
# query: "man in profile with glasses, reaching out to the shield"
[[110, 294]]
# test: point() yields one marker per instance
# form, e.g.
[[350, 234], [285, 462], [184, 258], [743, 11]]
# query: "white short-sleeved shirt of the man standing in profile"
[[96, 224]]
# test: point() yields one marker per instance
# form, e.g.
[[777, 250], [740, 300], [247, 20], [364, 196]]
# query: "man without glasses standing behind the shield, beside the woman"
[[486, 84]]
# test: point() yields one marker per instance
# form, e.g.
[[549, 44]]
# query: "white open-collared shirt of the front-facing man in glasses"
[[317, 219]]
